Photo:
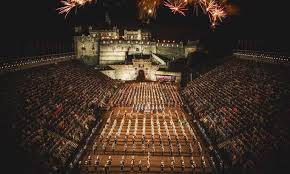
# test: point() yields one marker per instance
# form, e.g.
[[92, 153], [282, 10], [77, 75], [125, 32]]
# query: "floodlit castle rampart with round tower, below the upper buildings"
[[104, 52]]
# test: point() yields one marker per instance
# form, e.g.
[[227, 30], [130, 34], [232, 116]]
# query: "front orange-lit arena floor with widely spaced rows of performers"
[[115, 126]]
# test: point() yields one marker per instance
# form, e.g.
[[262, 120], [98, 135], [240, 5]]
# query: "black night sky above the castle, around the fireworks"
[[25, 21]]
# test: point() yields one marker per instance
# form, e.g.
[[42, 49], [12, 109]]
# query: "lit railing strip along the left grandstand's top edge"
[[26, 62]]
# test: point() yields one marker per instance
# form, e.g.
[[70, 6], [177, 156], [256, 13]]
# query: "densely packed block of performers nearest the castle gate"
[[151, 96]]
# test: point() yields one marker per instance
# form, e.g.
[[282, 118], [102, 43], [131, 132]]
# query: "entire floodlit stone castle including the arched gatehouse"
[[110, 48]]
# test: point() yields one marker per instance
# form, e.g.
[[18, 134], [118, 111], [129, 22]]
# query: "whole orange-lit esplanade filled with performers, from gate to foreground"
[[146, 132]]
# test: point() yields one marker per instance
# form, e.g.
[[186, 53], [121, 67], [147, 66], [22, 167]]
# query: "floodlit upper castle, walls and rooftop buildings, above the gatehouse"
[[106, 47]]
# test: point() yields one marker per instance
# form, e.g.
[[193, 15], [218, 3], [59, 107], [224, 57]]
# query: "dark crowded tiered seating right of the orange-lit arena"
[[238, 103]]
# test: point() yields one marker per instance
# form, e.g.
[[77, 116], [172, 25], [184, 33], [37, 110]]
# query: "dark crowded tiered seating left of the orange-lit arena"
[[57, 108]]
